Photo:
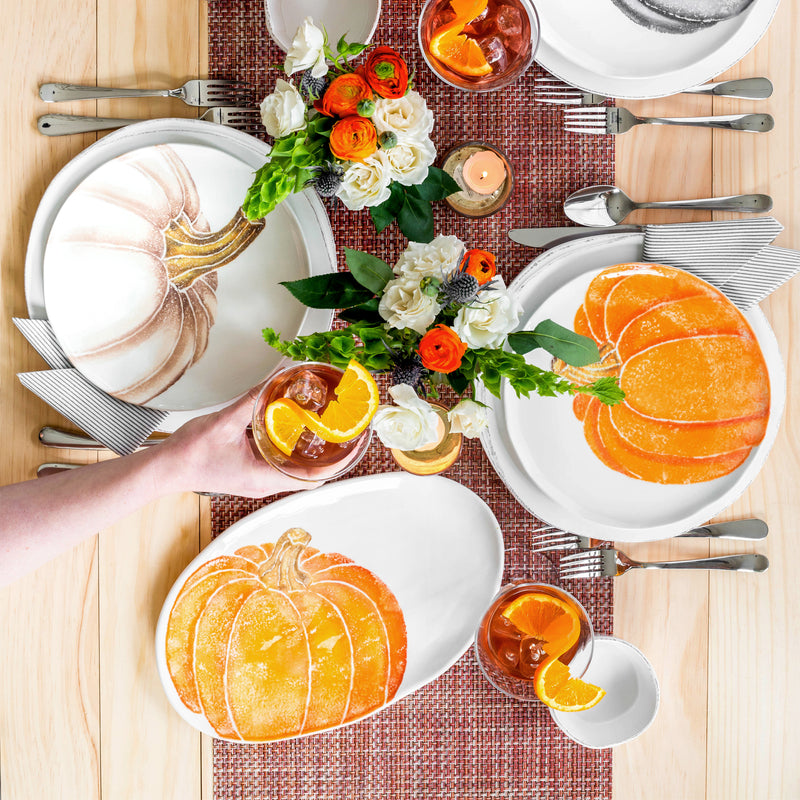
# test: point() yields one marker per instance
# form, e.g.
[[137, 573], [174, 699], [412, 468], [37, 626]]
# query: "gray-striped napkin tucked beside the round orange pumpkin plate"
[[736, 256]]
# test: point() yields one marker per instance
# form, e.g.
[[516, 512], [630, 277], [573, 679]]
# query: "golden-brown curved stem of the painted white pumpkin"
[[191, 253]]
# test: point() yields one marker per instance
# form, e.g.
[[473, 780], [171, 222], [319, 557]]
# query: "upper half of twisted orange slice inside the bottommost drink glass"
[[552, 621]]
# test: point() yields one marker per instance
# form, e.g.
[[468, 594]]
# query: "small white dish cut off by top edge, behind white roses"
[[356, 20]]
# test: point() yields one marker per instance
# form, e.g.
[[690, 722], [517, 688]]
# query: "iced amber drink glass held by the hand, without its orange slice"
[[311, 385]]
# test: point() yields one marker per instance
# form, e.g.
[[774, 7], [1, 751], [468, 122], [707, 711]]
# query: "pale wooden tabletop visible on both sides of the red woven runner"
[[82, 714]]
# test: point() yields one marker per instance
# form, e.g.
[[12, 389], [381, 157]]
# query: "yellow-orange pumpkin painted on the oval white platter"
[[281, 640]]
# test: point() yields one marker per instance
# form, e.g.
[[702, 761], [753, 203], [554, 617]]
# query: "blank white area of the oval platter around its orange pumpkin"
[[435, 544]]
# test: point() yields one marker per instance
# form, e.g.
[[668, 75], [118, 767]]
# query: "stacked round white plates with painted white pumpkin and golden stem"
[[125, 329]]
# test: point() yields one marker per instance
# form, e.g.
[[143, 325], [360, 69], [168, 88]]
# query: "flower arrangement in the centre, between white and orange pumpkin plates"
[[441, 316]]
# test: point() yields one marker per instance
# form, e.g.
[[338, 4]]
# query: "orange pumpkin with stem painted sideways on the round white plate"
[[696, 385]]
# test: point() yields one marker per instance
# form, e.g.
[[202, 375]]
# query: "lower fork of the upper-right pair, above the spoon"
[[602, 119]]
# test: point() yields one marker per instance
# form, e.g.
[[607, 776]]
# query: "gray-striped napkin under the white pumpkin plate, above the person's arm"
[[120, 426]]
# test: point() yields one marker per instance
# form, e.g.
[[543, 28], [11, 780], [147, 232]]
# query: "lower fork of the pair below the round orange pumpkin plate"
[[608, 562]]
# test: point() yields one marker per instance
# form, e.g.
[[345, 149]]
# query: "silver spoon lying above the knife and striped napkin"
[[604, 206]]
